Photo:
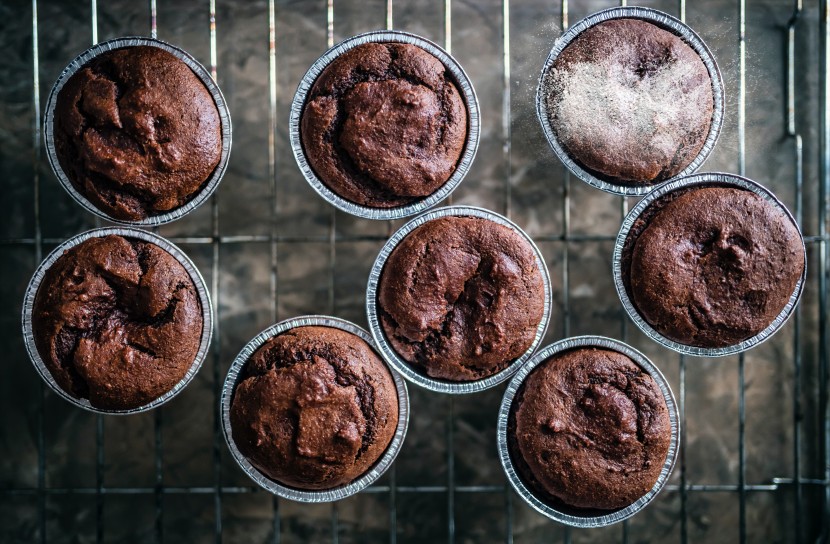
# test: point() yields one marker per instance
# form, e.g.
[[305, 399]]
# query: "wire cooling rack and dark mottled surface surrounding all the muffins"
[[754, 459]]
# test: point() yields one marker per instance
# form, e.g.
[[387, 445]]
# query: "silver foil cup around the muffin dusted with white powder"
[[666, 22]]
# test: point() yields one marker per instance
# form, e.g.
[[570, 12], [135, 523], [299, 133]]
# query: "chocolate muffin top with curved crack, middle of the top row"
[[384, 125]]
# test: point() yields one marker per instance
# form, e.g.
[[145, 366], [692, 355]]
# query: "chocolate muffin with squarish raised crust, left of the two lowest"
[[314, 408]]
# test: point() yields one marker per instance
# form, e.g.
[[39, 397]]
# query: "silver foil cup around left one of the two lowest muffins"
[[325, 495]]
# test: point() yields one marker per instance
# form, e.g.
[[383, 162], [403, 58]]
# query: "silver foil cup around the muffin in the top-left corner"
[[204, 76]]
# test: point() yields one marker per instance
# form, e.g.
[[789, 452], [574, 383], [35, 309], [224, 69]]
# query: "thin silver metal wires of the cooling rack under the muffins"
[[810, 494]]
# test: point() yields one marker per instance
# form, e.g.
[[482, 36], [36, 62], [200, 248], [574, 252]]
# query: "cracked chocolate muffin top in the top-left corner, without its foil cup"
[[136, 132]]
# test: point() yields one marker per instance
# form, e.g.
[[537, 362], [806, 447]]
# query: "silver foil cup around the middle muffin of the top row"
[[464, 162]]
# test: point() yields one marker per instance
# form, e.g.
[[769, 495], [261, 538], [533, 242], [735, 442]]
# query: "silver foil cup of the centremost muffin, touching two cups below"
[[411, 373]]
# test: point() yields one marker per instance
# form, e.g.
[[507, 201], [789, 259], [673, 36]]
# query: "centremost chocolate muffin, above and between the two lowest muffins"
[[460, 298]]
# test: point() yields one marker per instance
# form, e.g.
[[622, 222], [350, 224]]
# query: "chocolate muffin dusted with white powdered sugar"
[[629, 101]]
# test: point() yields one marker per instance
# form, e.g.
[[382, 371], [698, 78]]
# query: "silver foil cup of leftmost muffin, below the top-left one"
[[57, 253]]
